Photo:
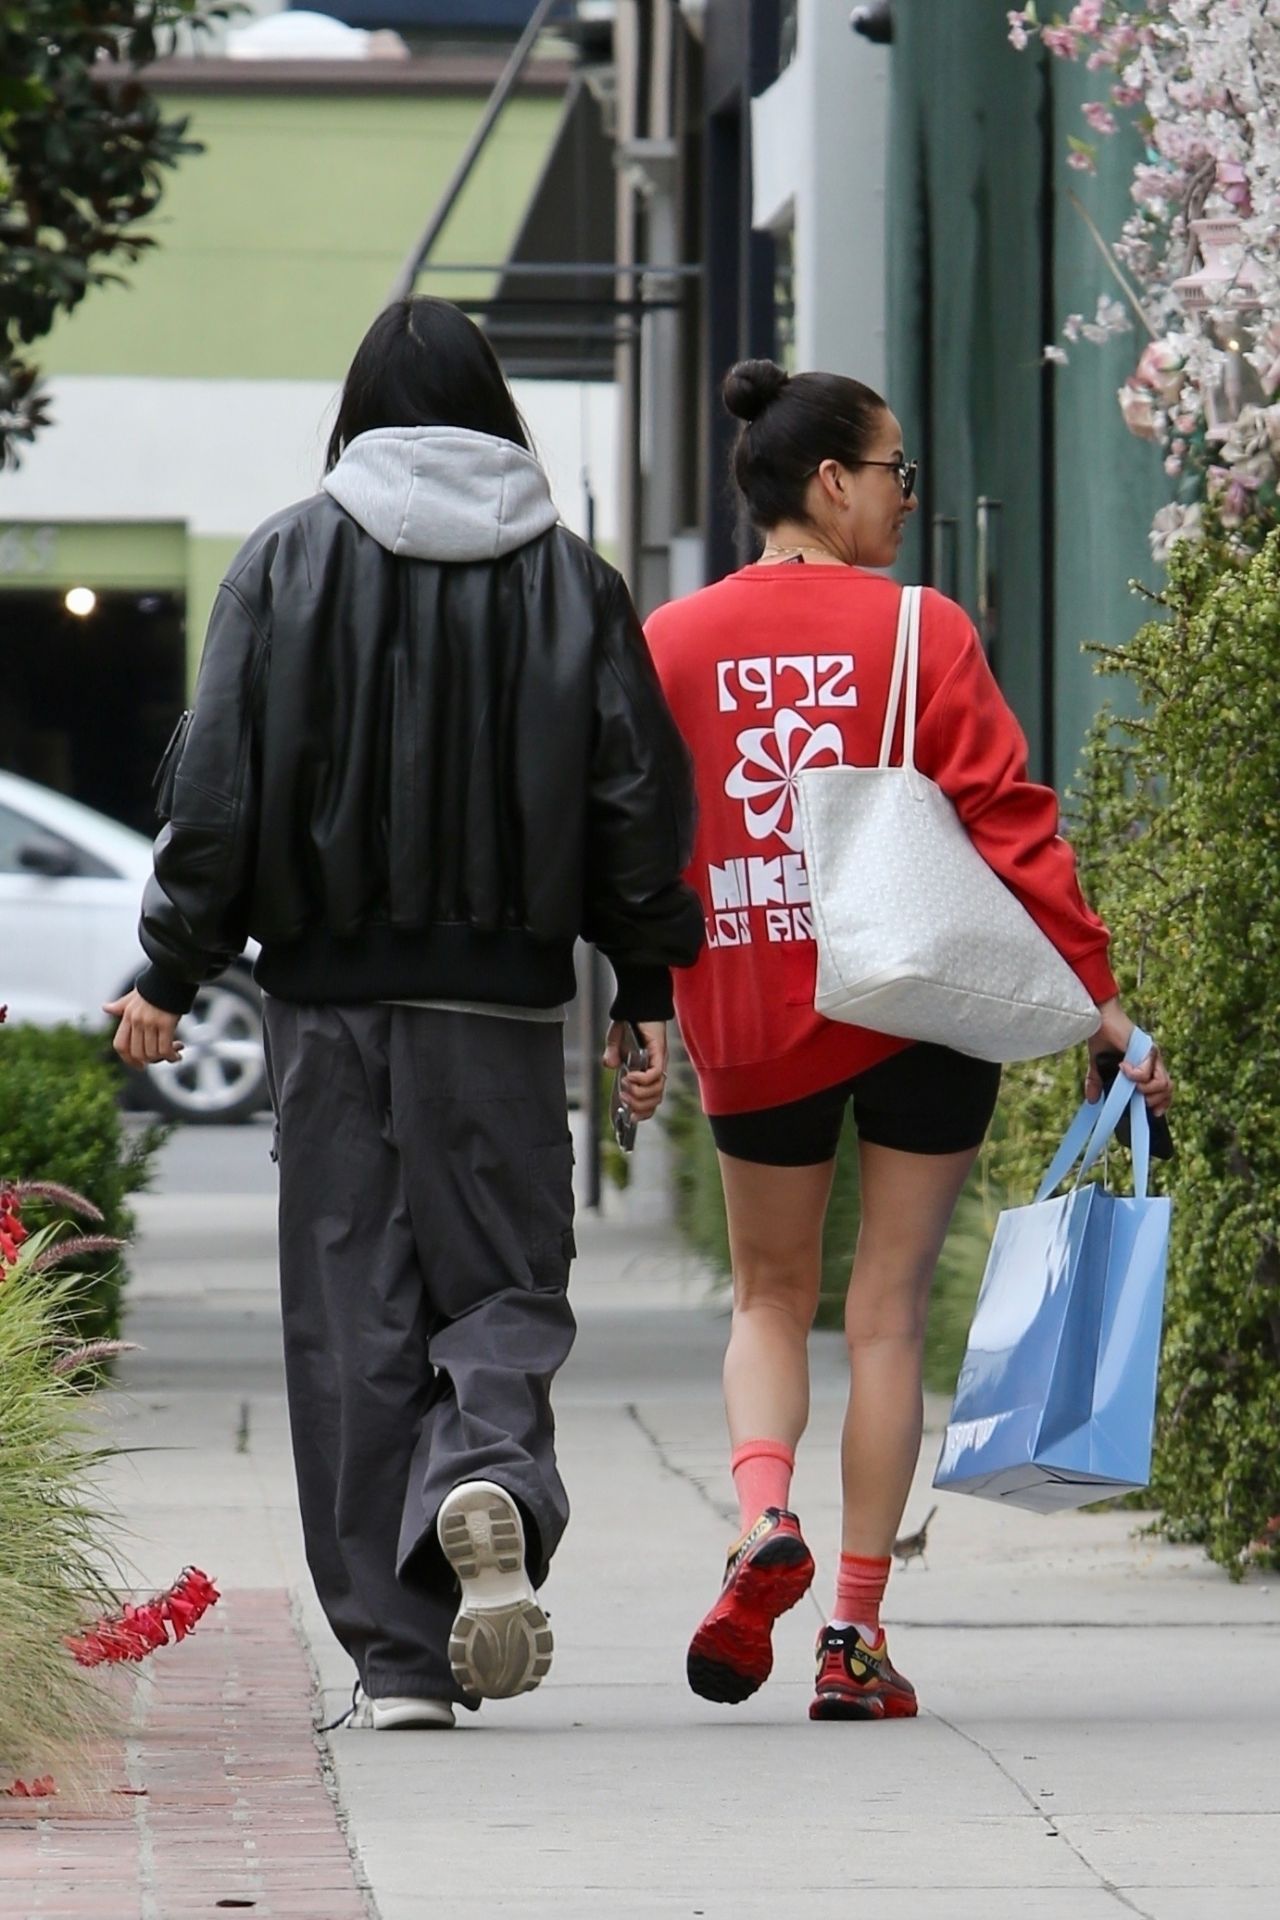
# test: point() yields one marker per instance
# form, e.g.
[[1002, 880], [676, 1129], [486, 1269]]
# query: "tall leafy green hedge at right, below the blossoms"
[[1177, 825]]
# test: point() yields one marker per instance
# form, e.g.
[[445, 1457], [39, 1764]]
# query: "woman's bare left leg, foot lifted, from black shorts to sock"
[[776, 1218]]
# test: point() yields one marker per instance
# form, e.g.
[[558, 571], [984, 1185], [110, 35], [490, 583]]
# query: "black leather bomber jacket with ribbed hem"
[[421, 780]]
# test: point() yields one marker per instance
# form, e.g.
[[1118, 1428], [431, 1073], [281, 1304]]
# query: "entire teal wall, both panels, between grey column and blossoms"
[[984, 266]]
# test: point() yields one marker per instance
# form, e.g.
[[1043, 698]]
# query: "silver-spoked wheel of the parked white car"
[[224, 1070]]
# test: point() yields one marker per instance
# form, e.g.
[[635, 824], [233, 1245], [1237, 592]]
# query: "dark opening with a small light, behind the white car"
[[89, 702]]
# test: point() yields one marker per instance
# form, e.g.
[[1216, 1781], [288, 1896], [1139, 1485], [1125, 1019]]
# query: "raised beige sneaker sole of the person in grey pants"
[[500, 1643]]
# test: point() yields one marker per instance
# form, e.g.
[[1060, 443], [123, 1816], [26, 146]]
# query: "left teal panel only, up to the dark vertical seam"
[[966, 343]]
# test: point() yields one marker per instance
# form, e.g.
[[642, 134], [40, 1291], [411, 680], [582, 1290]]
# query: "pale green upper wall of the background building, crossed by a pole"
[[281, 241]]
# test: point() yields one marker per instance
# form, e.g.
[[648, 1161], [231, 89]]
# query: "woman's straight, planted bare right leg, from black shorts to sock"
[[907, 1209]]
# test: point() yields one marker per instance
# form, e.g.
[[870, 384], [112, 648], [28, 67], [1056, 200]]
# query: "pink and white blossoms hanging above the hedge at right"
[[1198, 256]]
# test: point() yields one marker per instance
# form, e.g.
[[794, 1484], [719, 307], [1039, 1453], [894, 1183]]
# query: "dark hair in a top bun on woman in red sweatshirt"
[[794, 423]]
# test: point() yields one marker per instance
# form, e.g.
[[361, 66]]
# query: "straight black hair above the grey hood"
[[425, 364]]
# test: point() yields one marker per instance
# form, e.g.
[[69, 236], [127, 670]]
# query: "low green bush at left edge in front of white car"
[[60, 1120]]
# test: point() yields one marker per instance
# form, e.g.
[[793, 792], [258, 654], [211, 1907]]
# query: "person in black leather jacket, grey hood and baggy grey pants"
[[427, 754]]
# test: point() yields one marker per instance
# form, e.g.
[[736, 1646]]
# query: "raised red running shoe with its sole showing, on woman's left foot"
[[767, 1573]]
